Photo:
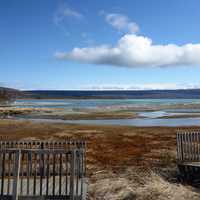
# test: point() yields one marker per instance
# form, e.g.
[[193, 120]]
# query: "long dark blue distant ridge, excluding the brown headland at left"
[[145, 94]]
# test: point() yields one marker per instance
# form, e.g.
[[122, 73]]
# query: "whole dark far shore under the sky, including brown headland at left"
[[8, 94]]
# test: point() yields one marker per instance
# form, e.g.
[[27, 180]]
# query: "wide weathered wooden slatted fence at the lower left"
[[42, 170]]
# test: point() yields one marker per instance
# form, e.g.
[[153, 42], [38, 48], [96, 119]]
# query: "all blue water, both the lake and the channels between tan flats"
[[149, 118]]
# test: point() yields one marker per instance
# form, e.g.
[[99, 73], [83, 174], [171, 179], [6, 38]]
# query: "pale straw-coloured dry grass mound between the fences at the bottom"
[[139, 186]]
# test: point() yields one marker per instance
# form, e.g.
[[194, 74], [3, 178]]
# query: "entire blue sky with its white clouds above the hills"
[[122, 44]]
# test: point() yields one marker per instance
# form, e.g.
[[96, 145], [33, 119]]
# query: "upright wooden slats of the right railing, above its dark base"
[[188, 146]]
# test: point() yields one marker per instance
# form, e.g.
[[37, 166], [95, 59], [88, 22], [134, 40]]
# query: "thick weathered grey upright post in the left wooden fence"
[[17, 173]]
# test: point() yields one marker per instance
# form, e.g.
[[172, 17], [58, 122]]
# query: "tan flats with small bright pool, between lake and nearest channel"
[[103, 113]]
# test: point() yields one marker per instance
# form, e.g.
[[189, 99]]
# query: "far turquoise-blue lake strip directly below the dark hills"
[[98, 103]]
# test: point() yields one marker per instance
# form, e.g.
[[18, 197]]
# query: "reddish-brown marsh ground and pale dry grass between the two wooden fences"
[[123, 162]]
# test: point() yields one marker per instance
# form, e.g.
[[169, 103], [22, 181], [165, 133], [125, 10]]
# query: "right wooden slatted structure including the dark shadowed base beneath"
[[188, 155]]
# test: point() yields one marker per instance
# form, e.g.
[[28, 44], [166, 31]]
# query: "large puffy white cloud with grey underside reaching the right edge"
[[135, 51]]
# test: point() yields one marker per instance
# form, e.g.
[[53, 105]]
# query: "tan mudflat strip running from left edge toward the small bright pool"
[[59, 113]]
